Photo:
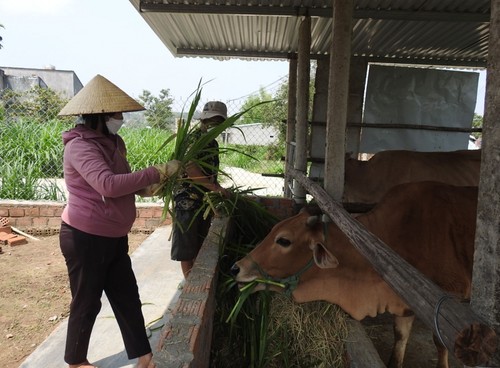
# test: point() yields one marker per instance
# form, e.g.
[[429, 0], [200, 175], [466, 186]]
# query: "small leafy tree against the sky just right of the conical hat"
[[158, 109]]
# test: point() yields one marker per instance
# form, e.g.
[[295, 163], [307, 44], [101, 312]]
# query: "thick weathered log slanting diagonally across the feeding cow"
[[459, 328]]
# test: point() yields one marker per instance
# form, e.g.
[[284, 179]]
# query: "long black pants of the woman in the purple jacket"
[[96, 264]]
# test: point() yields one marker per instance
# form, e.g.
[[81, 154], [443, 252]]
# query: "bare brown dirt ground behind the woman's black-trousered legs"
[[34, 295]]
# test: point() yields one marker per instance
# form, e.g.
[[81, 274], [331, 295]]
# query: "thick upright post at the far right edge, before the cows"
[[486, 273]]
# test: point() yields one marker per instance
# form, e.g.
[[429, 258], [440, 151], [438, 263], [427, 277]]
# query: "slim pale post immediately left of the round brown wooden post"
[[290, 124]]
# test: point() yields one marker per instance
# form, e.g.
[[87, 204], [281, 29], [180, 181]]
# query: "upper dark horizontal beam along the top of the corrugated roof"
[[295, 11]]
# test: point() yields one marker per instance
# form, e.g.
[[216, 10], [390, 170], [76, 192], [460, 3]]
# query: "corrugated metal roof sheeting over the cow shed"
[[438, 32]]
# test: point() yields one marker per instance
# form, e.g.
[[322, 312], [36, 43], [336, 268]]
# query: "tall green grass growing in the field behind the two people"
[[31, 151]]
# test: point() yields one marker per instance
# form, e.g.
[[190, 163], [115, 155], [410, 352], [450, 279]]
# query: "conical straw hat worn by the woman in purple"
[[100, 96]]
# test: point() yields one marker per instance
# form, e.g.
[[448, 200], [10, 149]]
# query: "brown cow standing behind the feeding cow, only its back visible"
[[367, 181]]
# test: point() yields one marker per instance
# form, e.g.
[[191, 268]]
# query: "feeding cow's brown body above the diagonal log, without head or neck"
[[432, 226]]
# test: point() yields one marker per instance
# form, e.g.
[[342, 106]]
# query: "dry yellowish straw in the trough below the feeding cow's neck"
[[306, 335]]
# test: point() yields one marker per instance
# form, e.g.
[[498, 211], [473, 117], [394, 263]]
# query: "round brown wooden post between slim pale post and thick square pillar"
[[303, 66]]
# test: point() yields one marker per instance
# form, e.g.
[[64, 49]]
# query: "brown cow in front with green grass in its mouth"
[[429, 224]]
